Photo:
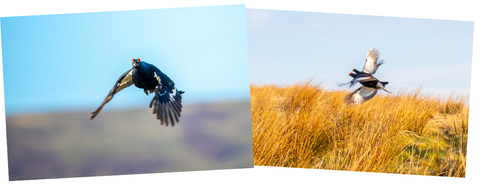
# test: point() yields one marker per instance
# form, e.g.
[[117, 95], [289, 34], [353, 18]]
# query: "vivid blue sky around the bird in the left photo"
[[71, 61]]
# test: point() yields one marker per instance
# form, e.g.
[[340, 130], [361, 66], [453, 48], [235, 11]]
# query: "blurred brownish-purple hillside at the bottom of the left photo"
[[209, 136]]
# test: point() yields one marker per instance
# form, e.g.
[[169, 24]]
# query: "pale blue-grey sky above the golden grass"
[[286, 47]]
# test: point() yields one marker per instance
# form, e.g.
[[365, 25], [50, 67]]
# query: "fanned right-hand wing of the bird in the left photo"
[[167, 103]]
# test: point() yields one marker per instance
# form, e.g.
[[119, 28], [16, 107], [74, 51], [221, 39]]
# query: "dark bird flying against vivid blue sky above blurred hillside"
[[167, 100]]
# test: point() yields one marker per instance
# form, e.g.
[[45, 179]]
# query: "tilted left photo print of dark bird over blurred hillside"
[[126, 92]]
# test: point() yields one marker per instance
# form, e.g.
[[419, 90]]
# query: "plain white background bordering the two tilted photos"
[[445, 10]]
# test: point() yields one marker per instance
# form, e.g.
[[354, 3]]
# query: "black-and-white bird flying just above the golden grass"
[[370, 84]]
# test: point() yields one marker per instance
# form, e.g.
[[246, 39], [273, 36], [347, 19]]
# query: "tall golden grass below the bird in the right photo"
[[408, 132]]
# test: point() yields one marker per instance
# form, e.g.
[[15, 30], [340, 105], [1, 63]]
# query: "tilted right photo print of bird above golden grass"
[[359, 93]]
